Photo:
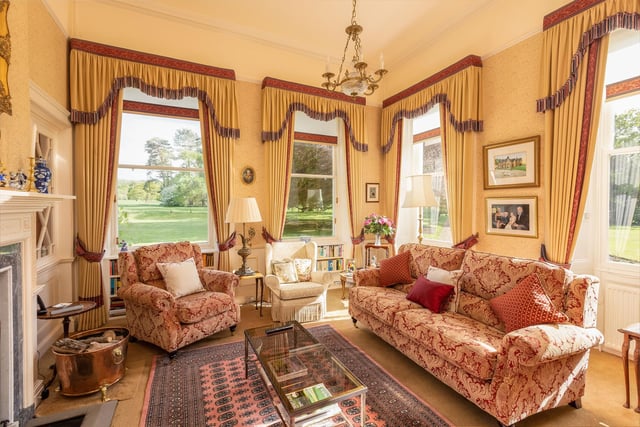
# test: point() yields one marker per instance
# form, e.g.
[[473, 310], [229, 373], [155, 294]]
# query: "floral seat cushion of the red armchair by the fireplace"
[[202, 305]]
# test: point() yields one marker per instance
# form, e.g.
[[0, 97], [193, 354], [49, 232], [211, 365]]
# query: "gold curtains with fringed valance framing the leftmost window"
[[97, 75]]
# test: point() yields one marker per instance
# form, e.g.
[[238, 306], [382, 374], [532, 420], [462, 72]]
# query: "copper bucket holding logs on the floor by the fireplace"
[[93, 370]]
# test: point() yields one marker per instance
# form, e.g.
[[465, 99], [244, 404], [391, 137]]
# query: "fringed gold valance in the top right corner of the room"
[[565, 46]]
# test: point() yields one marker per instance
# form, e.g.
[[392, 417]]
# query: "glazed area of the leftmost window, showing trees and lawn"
[[162, 196]]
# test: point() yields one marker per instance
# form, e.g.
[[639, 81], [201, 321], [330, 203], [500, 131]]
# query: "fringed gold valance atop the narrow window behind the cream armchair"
[[281, 99]]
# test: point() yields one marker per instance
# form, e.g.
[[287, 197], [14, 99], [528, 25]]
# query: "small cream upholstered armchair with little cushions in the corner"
[[298, 291]]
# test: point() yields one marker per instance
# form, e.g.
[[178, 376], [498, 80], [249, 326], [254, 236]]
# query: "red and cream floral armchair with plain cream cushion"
[[171, 300]]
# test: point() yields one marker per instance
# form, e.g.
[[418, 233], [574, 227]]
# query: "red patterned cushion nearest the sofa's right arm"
[[525, 305]]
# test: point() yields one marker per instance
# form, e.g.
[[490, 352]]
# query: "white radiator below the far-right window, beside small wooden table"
[[622, 308]]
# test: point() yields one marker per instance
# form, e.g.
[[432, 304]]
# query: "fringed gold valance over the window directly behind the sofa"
[[457, 87]]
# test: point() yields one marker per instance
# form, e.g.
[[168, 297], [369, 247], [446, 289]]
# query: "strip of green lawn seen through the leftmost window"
[[149, 222]]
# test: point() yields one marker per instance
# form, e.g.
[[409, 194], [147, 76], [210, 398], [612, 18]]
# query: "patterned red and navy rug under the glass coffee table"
[[207, 387]]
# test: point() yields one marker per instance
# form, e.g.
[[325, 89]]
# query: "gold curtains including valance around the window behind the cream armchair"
[[279, 102]]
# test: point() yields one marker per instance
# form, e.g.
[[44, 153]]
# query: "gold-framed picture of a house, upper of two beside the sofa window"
[[512, 164]]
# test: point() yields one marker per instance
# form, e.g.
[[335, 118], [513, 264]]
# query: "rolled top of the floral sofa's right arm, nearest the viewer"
[[538, 344]]
